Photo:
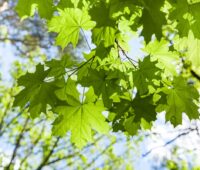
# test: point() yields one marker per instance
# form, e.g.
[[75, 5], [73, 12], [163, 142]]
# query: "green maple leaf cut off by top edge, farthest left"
[[26, 8]]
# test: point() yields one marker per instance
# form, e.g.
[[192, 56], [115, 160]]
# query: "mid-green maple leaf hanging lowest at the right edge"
[[180, 99]]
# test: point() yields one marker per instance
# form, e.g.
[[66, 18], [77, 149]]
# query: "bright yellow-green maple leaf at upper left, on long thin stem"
[[68, 25]]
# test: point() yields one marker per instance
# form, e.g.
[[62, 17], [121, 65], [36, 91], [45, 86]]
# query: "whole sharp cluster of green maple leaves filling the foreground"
[[132, 91]]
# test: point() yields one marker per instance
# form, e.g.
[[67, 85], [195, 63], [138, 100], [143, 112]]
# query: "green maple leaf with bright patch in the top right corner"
[[187, 17]]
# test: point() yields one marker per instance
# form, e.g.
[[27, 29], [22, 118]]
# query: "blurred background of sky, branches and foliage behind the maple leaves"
[[27, 144]]
